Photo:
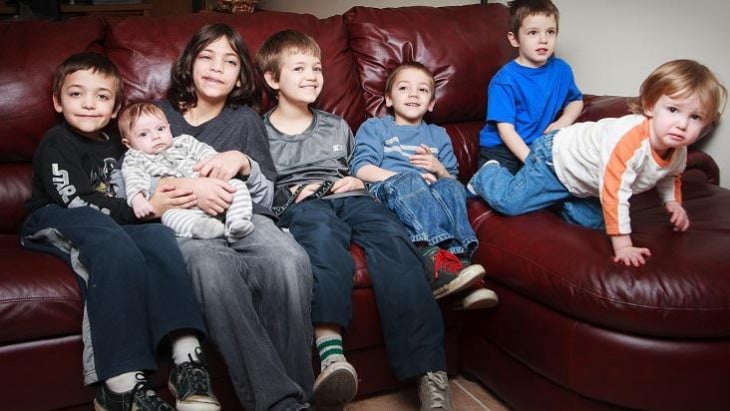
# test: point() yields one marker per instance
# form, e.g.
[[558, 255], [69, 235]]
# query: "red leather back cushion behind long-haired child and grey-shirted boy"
[[145, 49]]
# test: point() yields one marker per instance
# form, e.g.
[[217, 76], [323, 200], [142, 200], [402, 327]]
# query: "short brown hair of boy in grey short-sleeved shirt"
[[270, 53]]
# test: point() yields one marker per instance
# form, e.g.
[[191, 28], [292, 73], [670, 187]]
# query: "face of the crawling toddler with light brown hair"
[[675, 122]]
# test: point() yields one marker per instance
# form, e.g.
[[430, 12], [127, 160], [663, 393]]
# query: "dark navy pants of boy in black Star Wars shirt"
[[134, 282]]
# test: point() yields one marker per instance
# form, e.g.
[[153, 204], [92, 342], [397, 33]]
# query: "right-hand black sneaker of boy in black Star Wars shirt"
[[190, 385]]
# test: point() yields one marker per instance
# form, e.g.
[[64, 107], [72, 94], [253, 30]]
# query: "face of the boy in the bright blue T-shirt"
[[535, 40]]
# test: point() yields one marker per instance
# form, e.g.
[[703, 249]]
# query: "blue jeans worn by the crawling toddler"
[[534, 187]]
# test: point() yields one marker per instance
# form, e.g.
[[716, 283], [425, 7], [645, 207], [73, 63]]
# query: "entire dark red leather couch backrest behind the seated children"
[[463, 45]]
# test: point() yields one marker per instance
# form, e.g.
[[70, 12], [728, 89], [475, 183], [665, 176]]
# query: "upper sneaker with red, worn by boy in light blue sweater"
[[446, 273]]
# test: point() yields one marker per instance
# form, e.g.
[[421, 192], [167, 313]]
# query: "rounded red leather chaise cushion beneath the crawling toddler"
[[682, 291]]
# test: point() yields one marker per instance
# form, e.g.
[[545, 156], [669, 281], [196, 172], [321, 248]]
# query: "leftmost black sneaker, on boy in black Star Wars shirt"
[[142, 397]]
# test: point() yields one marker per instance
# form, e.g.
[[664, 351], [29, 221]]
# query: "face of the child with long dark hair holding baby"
[[216, 71]]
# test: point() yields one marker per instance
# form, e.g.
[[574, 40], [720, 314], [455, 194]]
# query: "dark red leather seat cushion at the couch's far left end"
[[39, 295]]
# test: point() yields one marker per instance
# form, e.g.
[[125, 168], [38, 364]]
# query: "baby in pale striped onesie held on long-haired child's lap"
[[153, 154]]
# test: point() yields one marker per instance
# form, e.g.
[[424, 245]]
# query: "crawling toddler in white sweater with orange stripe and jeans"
[[594, 168]]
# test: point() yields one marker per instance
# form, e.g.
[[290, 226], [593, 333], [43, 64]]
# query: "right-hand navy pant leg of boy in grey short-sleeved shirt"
[[410, 318]]
